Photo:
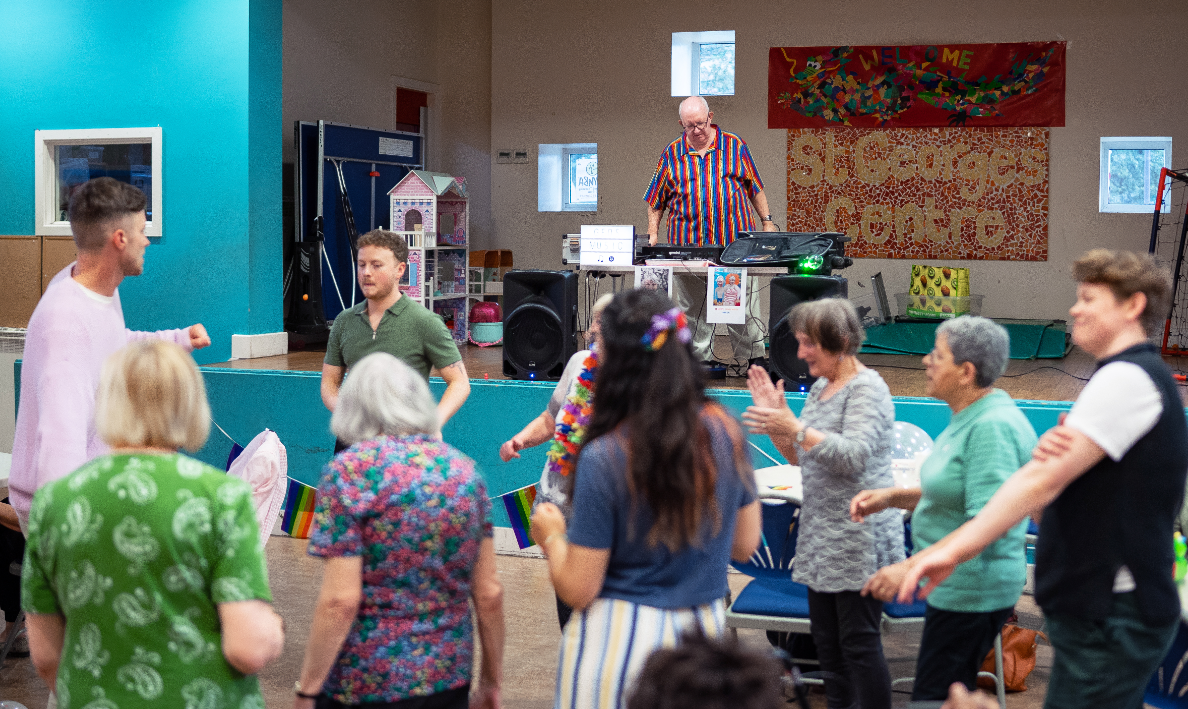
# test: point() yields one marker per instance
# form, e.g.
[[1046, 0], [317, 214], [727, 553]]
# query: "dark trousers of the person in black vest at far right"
[[1105, 664]]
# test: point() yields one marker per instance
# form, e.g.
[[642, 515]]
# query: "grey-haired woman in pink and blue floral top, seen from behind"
[[405, 524]]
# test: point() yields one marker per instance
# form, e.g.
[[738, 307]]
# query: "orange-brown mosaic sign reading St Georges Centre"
[[924, 193]]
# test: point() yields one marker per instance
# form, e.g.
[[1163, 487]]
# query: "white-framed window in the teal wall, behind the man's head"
[[66, 160]]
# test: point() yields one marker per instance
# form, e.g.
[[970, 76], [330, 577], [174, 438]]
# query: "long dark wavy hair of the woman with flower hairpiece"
[[660, 397]]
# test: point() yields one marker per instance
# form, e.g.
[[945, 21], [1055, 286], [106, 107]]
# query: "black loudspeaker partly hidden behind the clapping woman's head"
[[787, 293]]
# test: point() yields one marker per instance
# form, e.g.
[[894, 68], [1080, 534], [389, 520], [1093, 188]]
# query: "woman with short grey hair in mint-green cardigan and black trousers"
[[988, 440]]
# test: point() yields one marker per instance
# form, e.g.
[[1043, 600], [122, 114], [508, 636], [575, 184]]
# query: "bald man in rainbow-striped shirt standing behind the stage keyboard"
[[705, 180]]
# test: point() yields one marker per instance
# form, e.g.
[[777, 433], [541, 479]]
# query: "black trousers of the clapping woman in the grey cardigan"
[[846, 631]]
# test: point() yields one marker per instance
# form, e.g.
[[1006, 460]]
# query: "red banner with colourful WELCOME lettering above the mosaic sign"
[[917, 86]]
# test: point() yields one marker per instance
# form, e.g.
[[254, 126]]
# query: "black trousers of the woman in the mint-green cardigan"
[[953, 648]]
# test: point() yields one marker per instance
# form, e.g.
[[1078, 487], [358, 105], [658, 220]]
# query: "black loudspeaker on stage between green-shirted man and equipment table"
[[540, 324]]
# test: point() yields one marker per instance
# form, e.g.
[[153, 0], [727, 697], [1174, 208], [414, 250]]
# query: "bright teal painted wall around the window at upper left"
[[210, 74]]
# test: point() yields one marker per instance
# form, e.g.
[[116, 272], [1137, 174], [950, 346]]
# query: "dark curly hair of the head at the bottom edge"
[[707, 674]]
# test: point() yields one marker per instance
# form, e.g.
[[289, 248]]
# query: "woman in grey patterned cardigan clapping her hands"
[[843, 444]]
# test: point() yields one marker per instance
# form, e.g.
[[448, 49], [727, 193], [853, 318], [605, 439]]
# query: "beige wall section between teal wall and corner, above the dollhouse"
[[343, 60]]
